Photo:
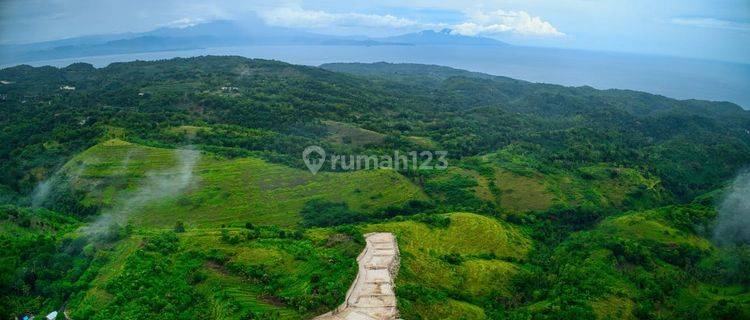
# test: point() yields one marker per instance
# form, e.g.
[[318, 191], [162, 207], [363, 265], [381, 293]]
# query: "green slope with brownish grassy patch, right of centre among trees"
[[513, 183]]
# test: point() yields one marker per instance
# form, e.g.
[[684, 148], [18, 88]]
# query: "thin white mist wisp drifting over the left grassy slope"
[[159, 184]]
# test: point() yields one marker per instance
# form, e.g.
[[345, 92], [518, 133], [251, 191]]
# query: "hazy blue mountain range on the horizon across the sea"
[[249, 31]]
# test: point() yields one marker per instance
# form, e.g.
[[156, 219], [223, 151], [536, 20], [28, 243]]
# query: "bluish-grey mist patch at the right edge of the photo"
[[733, 220]]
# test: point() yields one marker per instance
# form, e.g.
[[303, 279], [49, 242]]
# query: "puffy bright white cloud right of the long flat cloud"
[[501, 21]]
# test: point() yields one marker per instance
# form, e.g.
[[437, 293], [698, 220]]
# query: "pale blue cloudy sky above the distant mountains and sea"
[[715, 30]]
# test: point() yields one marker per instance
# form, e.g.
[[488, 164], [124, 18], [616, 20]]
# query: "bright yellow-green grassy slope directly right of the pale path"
[[487, 247]]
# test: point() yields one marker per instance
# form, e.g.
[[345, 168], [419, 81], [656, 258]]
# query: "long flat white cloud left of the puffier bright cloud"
[[301, 18]]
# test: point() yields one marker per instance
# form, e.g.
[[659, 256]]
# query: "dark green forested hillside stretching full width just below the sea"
[[278, 109]]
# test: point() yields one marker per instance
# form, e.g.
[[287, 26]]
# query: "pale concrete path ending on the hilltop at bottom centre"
[[371, 296]]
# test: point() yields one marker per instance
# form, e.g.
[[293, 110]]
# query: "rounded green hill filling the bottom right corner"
[[644, 264]]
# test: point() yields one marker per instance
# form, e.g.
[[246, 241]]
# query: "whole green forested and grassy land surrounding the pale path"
[[572, 202]]
